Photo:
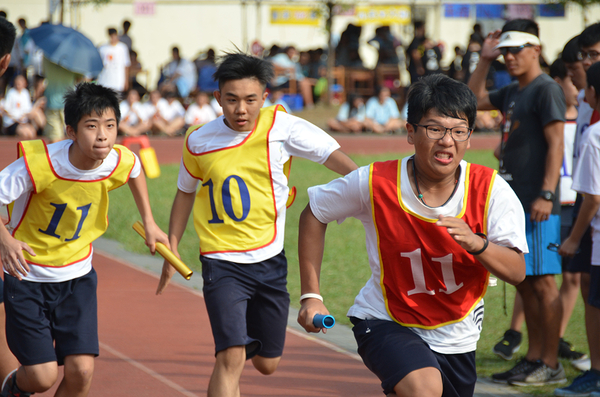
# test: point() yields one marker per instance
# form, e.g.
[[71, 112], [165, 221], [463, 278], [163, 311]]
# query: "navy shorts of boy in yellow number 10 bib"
[[247, 304]]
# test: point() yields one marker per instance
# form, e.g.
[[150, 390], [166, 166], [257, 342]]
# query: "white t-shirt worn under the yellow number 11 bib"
[[16, 185]]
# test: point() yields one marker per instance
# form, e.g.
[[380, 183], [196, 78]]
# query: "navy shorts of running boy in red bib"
[[391, 351]]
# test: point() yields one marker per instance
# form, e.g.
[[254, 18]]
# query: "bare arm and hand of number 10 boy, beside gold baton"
[[180, 213]]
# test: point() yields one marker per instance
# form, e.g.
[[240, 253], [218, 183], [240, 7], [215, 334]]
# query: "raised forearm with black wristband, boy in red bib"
[[506, 263]]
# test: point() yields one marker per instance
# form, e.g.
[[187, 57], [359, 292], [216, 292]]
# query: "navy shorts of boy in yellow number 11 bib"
[[46, 322]]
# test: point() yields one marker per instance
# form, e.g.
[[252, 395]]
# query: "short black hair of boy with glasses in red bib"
[[449, 97]]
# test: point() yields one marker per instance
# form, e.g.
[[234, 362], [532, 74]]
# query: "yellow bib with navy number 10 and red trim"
[[235, 208]]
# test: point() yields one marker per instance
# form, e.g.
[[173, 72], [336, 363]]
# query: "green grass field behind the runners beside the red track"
[[345, 265]]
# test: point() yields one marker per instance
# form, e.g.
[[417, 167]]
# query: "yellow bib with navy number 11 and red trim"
[[64, 216]]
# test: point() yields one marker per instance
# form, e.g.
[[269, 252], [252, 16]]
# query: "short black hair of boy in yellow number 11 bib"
[[87, 98]]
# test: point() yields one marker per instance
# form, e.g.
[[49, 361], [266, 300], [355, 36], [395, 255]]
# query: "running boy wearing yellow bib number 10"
[[239, 215]]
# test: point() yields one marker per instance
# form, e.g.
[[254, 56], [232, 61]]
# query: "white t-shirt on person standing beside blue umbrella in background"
[[115, 59]]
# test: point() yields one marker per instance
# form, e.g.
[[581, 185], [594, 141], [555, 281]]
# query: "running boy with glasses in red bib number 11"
[[436, 227]]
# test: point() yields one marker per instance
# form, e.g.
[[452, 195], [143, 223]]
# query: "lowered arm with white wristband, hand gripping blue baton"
[[311, 244]]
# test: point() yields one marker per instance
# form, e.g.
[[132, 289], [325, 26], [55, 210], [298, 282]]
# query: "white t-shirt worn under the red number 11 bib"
[[350, 197]]
